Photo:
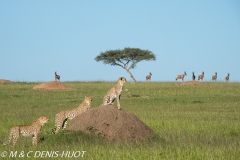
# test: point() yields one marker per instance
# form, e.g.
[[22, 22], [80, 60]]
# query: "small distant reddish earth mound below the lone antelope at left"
[[53, 85]]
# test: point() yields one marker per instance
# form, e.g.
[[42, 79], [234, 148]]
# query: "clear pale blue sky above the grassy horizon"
[[40, 37]]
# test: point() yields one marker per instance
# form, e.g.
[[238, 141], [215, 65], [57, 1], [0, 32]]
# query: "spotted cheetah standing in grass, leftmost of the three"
[[27, 130]]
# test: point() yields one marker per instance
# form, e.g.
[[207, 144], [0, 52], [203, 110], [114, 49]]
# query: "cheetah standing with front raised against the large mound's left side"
[[62, 117]]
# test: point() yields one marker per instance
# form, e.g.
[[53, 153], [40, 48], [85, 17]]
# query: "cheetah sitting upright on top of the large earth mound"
[[115, 92]]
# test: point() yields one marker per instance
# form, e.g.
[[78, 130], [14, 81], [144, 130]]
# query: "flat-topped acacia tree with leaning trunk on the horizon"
[[126, 58]]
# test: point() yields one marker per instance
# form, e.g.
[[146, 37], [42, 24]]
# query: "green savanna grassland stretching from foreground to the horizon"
[[190, 122]]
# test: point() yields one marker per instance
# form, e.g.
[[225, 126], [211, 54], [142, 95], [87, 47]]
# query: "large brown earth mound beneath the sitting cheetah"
[[112, 124]]
